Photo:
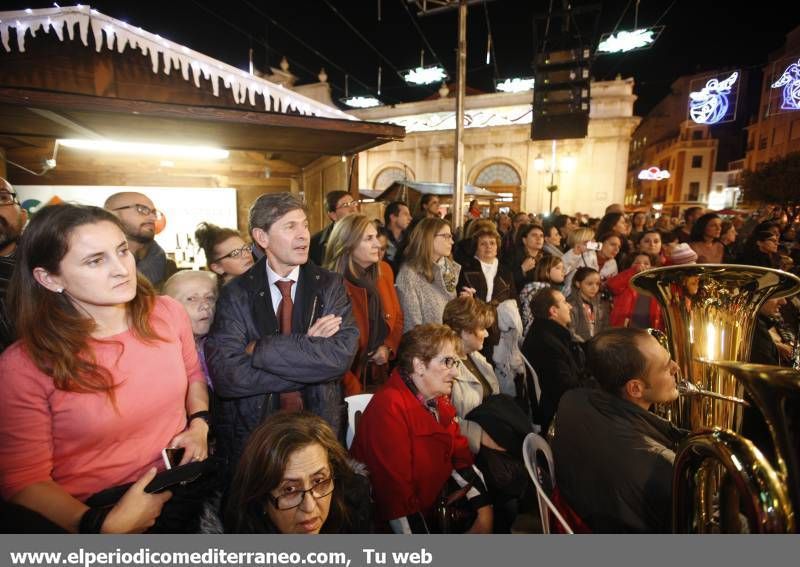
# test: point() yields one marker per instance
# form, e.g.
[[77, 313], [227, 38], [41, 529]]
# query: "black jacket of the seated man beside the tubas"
[[614, 462]]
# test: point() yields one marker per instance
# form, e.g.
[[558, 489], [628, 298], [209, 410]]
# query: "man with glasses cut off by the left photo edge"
[[12, 221]]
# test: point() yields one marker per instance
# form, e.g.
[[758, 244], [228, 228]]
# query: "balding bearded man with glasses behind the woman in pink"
[[138, 216]]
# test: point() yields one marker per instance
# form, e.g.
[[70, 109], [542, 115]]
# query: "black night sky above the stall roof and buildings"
[[700, 35]]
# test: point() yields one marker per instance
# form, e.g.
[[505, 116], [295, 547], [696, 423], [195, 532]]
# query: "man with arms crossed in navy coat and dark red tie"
[[284, 332]]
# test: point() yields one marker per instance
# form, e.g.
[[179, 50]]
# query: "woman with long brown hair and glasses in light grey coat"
[[427, 278]]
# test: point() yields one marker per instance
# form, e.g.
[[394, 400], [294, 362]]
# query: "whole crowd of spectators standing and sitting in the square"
[[112, 358]]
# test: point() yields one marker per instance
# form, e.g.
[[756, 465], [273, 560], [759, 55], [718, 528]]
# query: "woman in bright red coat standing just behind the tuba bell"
[[630, 308]]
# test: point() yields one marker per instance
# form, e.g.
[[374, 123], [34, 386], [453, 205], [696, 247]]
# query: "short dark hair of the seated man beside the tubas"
[[614, 357]]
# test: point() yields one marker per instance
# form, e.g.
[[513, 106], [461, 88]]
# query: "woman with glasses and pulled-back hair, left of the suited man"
[[227, 254]]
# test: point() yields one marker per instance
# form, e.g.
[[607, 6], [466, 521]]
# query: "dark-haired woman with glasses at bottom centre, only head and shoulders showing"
[[294, 477]]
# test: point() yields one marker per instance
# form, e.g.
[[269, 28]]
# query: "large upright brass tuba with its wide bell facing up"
[[710, 313]]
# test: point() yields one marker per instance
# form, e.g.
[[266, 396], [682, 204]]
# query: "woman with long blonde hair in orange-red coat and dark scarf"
[[353, 250]]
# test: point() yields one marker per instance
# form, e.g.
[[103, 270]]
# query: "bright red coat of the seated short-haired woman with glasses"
[[408, 453]]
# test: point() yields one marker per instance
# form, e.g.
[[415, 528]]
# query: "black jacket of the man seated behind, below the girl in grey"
[[559, 364]]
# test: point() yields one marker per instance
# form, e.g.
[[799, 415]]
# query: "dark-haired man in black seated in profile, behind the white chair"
[[557, 359]]
